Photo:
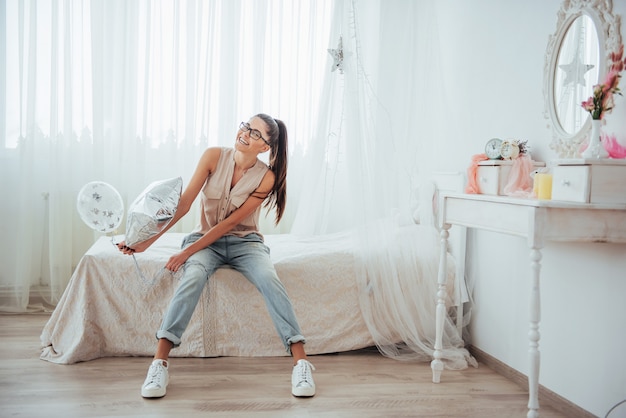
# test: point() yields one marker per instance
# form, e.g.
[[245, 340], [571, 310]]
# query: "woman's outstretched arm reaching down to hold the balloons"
[[206, 166]]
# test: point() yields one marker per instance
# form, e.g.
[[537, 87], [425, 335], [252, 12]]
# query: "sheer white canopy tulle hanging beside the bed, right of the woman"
[[377, 128]]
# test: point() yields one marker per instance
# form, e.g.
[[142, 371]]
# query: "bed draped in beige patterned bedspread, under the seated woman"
[[114, 303]]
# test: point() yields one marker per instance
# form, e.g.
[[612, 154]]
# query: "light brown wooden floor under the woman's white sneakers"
[[355, 384]]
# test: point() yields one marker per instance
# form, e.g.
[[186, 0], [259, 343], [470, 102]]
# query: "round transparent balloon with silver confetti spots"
[[100, 206]]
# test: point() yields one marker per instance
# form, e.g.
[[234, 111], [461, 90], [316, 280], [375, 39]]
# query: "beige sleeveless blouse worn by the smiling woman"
[[218, 200]]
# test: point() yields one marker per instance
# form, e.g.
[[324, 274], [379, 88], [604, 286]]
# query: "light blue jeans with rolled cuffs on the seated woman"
[[248, 255]]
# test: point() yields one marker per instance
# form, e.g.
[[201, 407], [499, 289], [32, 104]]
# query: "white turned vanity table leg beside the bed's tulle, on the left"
[[437, 365]]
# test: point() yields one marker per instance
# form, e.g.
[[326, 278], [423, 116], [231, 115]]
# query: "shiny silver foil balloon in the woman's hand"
[[153, 210]]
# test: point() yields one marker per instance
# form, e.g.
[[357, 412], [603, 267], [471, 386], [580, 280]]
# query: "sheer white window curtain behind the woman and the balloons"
[[132, 92]]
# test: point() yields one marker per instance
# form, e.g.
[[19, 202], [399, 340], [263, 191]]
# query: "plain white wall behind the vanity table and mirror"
[[498, 47]]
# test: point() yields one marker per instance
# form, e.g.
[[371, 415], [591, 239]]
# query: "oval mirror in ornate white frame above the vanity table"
[[576, 59]]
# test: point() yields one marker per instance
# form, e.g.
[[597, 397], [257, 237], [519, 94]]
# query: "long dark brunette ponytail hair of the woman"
[[277, 132]]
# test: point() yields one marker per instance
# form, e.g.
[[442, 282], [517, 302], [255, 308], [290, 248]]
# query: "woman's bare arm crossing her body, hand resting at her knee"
[[246, 209]]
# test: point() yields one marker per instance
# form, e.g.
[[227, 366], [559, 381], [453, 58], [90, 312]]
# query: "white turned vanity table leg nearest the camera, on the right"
[[534, 335]]
